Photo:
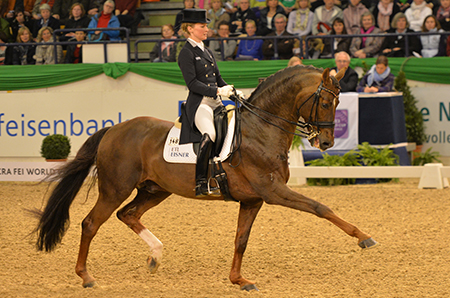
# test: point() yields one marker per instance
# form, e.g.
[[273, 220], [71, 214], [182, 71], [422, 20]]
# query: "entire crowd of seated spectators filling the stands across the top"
[[32, 22]]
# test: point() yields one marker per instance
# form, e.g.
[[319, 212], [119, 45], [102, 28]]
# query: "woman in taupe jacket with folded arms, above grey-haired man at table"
[[366, 46]]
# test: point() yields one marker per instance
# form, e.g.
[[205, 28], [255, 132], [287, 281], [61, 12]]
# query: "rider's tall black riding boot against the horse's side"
[[201, 170]]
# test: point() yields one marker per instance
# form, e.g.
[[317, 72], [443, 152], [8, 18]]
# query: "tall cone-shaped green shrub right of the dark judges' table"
[[415, 130]]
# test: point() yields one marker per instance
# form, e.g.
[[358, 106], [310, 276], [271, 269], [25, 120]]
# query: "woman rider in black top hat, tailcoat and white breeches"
[[206, 87]]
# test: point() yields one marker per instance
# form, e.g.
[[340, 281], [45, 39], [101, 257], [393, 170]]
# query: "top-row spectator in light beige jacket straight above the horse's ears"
[[324, 16]]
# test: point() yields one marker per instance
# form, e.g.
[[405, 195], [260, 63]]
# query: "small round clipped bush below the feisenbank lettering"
[[55, 147]]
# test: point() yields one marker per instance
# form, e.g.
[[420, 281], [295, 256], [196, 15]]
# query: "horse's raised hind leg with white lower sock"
[[131, 215]]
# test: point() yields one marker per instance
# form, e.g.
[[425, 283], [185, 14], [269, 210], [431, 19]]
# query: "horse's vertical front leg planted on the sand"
[[247, 215]]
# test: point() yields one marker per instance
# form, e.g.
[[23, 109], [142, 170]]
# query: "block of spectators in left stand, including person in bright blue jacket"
[[31, 24]]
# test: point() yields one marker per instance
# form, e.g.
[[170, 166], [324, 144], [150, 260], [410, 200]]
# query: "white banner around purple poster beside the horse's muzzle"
[[346, 123]]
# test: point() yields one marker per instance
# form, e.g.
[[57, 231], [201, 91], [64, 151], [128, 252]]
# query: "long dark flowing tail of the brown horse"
[[54, 220]]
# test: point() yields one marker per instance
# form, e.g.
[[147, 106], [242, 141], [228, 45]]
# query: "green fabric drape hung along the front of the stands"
[[242, 74]]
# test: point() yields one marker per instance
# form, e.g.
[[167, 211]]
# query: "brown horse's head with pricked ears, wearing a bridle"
[[318, 111]]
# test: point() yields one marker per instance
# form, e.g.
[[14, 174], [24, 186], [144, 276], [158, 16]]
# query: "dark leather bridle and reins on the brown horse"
[[305, 129]]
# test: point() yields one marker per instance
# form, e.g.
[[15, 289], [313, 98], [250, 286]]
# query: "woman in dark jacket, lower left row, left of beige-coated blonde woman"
[[23, 54]]
